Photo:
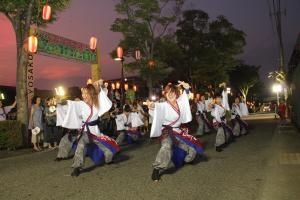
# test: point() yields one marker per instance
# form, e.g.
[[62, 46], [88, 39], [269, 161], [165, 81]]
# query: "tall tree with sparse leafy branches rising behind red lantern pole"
[[144, 25]]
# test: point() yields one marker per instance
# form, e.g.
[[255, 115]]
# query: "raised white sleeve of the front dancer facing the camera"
[[185, 109]]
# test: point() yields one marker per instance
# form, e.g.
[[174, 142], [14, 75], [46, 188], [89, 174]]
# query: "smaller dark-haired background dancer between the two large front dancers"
[[127, 126]]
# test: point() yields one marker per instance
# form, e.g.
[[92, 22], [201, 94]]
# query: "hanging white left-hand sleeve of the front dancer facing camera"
[[158, 119]]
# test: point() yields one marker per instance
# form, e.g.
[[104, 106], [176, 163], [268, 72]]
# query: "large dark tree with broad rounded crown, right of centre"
[[210, 47]]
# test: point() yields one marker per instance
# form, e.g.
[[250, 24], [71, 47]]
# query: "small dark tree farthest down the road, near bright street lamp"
[[244, 77]]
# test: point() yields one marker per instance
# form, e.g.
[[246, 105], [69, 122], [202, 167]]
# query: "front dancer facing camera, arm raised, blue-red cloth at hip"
[[167, 119]]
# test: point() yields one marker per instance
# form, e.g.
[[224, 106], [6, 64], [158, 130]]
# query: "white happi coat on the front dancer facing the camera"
[[164, 114]]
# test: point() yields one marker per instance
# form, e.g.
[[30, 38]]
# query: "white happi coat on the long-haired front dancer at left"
[[75, 113]]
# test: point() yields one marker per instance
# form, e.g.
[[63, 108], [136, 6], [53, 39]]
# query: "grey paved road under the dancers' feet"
[[237, 173]]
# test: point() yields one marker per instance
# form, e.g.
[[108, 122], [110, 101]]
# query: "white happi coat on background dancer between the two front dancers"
[[133, 118]]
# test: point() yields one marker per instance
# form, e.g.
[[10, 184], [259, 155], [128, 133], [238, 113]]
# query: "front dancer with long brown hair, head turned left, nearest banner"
[[84, 115]]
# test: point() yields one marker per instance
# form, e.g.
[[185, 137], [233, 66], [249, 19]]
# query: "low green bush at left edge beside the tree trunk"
[[10, 134]]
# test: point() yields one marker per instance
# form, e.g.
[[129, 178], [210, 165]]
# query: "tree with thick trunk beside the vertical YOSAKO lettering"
[[22, 14]]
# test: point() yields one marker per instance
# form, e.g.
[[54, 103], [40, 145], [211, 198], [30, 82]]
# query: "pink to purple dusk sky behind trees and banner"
[[85, 18]]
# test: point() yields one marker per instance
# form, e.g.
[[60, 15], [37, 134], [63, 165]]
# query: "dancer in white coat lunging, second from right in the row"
[[224, 132]]
